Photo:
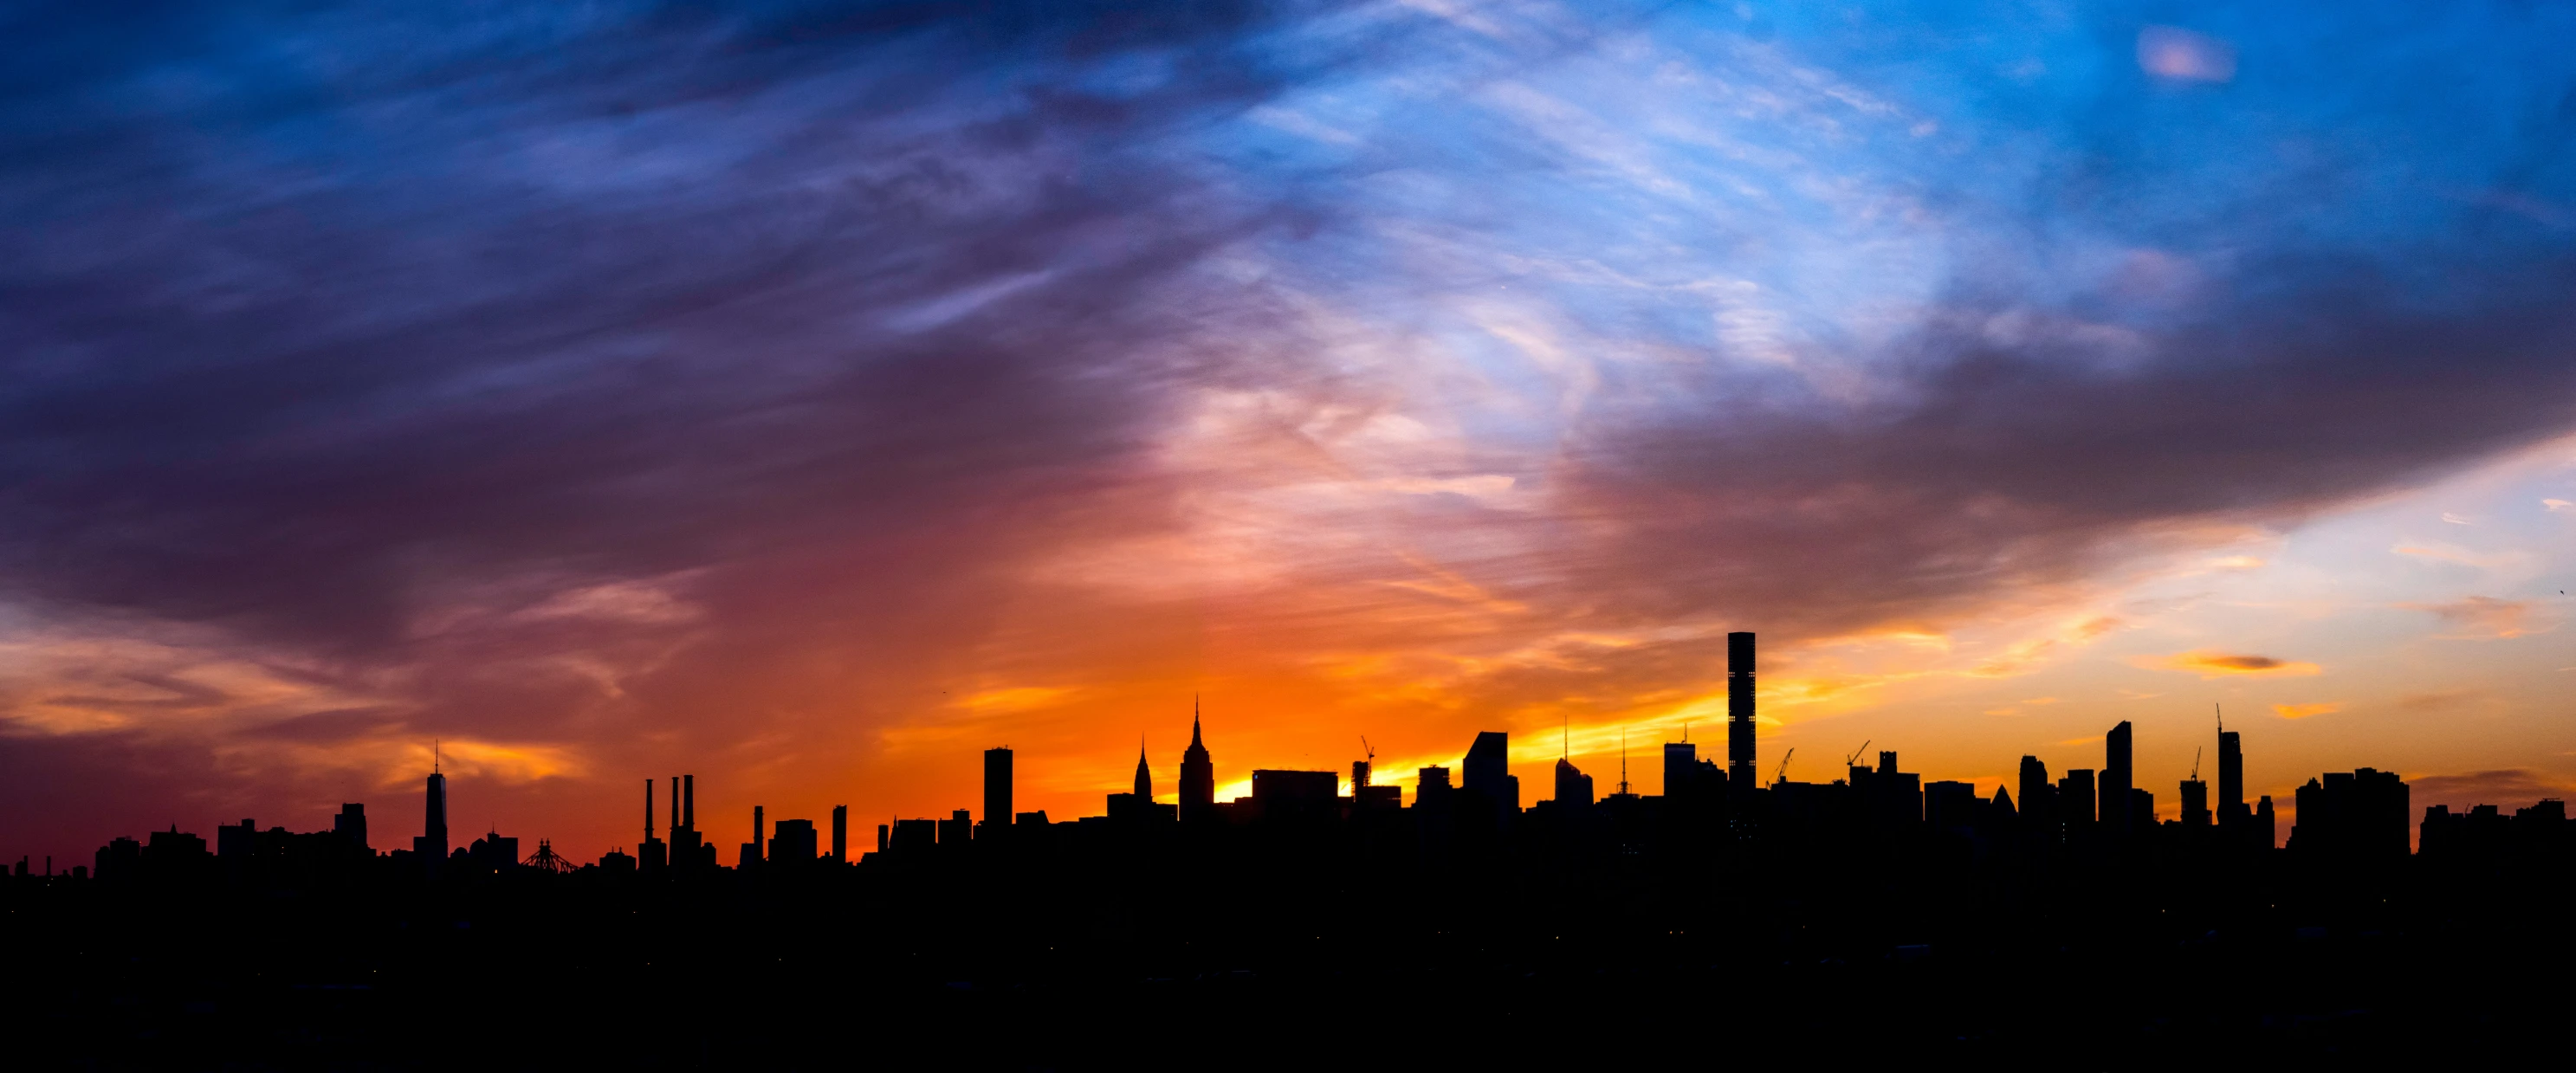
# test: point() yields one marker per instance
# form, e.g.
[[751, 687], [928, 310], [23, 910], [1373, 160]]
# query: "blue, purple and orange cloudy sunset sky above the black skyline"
[[810, 398]]
